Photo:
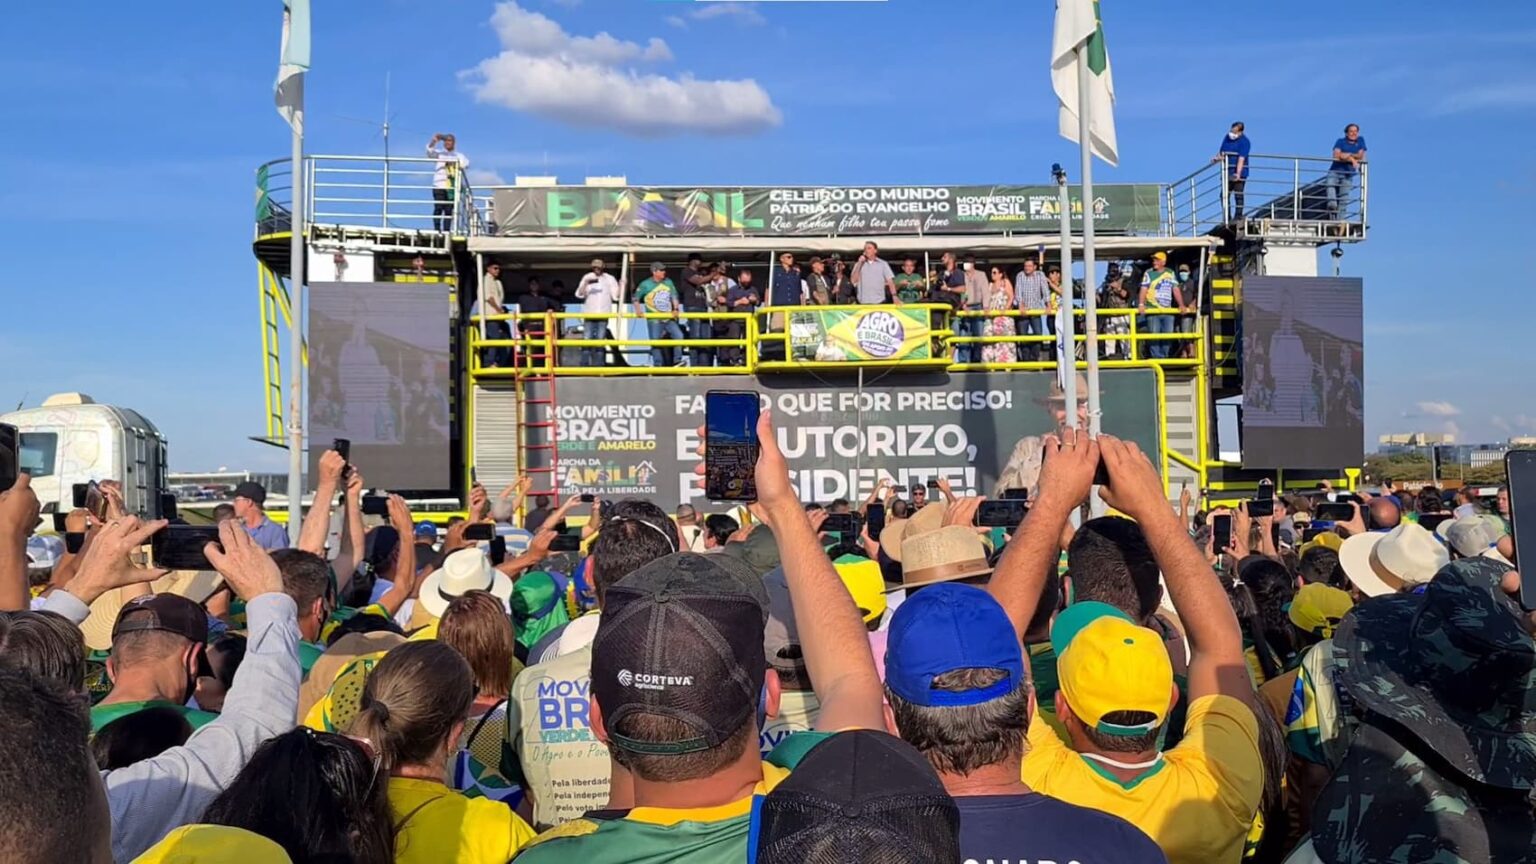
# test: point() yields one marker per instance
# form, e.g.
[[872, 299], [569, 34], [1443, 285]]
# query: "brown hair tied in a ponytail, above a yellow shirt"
[[412, 702]]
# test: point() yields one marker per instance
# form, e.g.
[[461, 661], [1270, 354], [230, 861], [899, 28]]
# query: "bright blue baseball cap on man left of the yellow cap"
[[945, 628]]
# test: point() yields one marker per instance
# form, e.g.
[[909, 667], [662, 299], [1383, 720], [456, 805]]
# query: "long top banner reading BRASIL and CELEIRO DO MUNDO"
[[819, 211]]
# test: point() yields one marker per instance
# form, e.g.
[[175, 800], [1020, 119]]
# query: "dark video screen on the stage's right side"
[[1303, 371]]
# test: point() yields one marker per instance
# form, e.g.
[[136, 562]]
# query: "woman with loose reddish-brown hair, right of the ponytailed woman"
[[485, 765]]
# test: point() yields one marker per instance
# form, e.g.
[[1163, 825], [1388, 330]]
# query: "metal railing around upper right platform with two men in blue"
[[1283, 198]]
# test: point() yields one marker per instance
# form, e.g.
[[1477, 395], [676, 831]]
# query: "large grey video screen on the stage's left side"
[[379, 376]]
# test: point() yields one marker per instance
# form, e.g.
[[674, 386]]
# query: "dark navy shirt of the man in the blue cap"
[[1038, 828]]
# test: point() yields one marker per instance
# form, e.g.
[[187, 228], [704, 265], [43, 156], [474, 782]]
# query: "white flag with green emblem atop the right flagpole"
[[1078, 22]]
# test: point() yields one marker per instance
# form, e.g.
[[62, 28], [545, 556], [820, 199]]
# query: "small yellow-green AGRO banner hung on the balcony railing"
[[836, 336]]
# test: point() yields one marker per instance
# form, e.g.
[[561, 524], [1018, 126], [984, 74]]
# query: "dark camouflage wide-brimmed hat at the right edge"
[[1454, 668]]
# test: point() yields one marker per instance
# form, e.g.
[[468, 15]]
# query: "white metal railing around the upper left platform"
[[365, 193]]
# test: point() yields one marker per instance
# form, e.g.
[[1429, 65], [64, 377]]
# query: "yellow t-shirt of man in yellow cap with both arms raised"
[[1199, 800]]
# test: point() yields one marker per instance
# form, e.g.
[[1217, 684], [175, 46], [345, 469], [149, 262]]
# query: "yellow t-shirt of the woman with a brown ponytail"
[[439, 826]]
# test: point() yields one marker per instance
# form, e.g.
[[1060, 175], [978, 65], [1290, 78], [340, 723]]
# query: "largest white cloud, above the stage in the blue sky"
[[591, 82]]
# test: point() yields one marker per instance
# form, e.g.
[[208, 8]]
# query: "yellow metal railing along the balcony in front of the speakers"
[[1127, 341]]
